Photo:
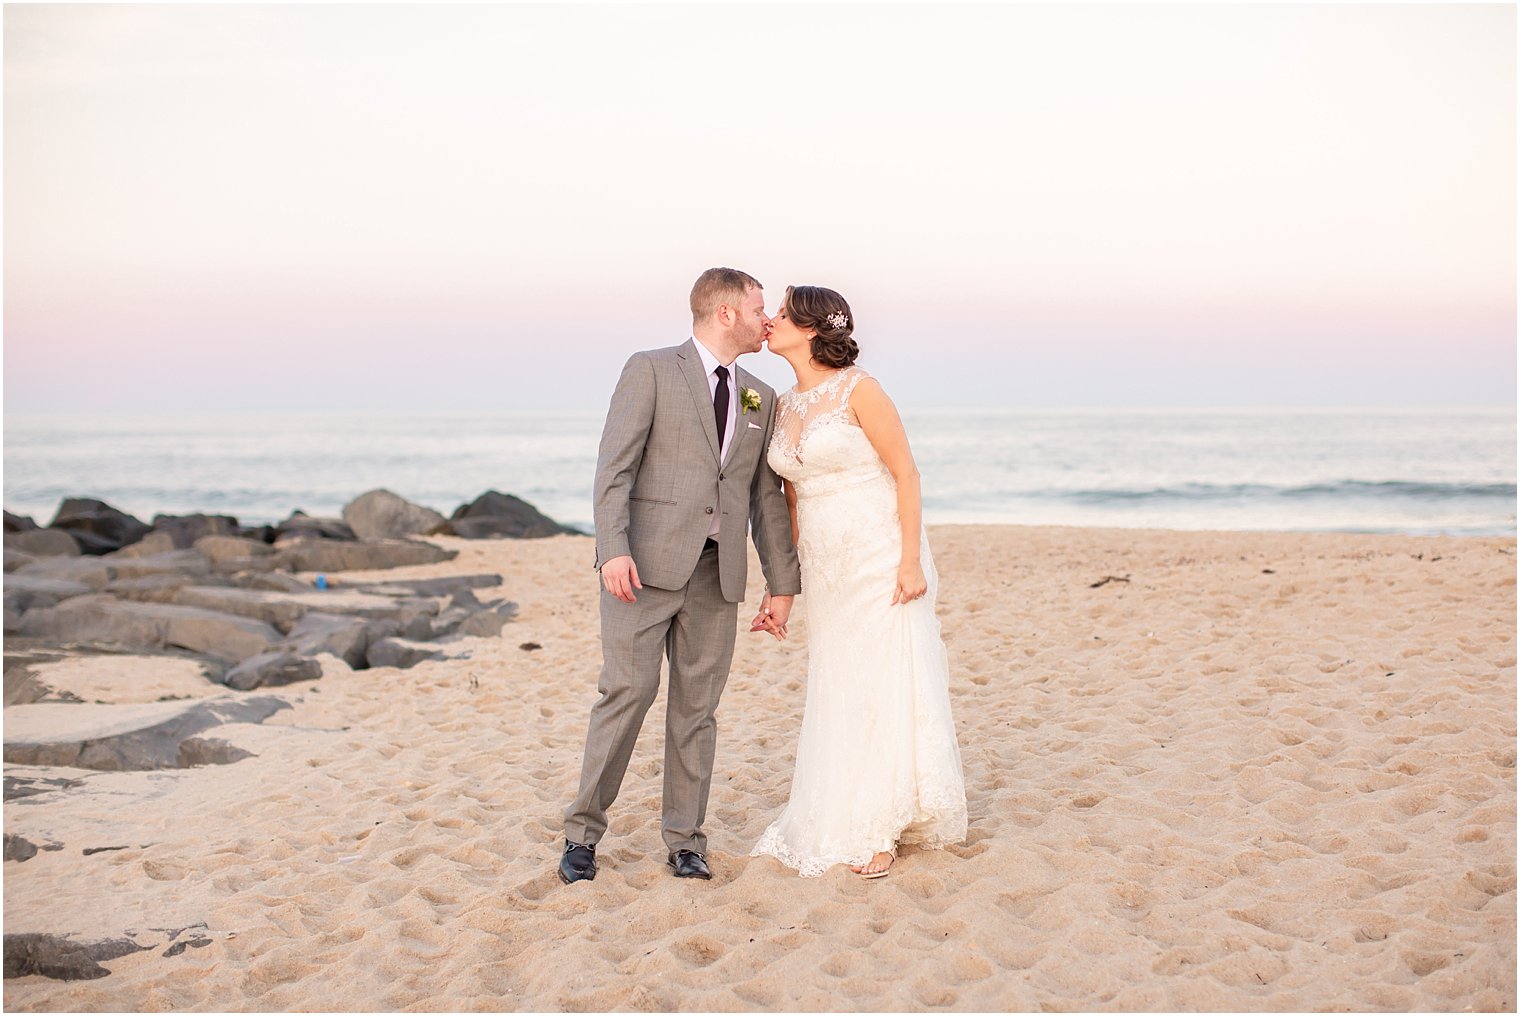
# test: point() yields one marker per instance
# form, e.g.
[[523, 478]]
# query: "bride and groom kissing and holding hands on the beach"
[[698, 454]]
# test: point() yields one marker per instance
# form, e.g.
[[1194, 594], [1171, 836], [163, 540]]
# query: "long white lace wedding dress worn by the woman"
[[878, 761]]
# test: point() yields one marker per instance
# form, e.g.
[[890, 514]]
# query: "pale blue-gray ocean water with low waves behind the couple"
[[1355, 471]]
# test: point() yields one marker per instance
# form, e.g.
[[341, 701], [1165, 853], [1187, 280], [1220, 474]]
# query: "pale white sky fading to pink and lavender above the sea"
[[283, 208]]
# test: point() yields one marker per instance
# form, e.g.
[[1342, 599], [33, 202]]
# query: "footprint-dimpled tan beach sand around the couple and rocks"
[[1268, 772]]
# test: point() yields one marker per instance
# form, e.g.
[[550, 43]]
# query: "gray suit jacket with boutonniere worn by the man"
[[659, 481]]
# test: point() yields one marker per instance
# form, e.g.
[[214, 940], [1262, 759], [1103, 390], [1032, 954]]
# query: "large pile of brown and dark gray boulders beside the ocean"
[[258, 606]]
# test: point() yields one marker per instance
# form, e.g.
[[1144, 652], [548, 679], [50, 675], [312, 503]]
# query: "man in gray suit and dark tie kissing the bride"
[[680, 480]]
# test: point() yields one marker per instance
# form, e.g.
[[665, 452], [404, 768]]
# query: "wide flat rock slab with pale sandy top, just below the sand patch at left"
[[130, 737]]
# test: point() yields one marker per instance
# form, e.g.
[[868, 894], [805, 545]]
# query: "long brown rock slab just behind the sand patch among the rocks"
[[104, 621]]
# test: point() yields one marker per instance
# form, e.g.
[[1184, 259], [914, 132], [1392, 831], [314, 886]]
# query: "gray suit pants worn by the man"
[[695, 629]]
